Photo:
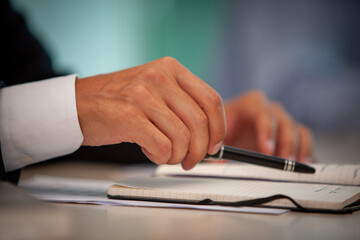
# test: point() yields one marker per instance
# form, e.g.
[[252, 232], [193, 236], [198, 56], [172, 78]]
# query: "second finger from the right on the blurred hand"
[[285, 146]]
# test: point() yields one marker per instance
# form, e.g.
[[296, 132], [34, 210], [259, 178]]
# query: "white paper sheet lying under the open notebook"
[[90, 191]]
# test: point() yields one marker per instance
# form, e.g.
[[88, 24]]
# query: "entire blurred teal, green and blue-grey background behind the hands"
[[305, 54]]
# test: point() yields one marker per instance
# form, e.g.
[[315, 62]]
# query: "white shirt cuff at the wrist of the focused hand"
[[38, 121]]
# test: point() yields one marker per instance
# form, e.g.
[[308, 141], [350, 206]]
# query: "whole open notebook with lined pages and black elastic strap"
[[333, 188]]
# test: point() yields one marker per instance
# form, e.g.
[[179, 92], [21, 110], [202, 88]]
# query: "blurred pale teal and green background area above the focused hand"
[[96, 36]]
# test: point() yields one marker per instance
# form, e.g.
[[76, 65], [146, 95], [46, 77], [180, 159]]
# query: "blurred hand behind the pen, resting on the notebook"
[[256, 124]]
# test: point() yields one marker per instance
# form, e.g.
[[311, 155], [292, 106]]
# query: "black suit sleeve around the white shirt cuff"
[[23, 60]]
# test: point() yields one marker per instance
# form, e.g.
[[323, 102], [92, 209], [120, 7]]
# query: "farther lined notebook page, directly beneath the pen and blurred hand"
[[346, 174]]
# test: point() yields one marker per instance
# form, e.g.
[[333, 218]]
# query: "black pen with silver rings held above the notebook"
[[245, 156]]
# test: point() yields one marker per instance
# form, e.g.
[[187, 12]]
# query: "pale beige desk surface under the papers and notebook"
[[38, 220]]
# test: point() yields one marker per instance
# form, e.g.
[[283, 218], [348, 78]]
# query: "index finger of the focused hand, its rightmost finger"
[[211, 103]]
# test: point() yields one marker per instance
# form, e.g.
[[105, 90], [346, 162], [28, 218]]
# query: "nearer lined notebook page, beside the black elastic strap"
[[228, 190]]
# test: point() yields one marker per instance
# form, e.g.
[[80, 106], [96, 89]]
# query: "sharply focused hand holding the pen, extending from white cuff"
[[173, 115]]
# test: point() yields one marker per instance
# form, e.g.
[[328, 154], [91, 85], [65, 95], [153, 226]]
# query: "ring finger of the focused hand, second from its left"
[[155, 109]]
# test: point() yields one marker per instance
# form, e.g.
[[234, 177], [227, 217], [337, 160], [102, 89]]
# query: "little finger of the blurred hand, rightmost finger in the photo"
[[305, 145]]
